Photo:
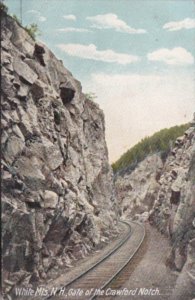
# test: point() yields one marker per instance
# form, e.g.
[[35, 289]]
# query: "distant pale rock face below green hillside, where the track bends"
[[137, 191]]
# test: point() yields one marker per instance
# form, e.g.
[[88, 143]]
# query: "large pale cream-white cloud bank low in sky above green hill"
[[138, 105]]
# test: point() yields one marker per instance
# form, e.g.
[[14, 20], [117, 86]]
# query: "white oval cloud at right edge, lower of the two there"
[[176, 56]]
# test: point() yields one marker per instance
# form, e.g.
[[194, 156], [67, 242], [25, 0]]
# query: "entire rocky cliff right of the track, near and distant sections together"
[[163, 193]]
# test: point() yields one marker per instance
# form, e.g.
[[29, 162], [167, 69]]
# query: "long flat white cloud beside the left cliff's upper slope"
[[91, 52]]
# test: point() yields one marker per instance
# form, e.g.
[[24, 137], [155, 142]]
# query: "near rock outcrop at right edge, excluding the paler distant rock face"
[[174, 212]]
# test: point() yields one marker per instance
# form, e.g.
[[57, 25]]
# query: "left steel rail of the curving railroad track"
[[112, 251]]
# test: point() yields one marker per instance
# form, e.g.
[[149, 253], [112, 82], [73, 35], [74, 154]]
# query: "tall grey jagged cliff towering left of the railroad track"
[[57, 200]]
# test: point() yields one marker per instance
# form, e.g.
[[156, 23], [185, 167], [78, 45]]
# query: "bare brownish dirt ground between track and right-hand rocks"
[[147, 276]]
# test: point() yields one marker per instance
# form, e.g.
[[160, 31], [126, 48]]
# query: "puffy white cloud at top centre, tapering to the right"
[[111, 21]]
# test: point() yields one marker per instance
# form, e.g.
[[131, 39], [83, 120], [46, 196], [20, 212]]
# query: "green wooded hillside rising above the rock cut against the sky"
[[159, 142]]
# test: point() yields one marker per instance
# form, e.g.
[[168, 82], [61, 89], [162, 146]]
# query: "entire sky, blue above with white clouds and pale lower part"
[[136, 56]]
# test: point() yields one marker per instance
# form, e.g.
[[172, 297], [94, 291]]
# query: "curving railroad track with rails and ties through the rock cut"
[[94, 282]]
